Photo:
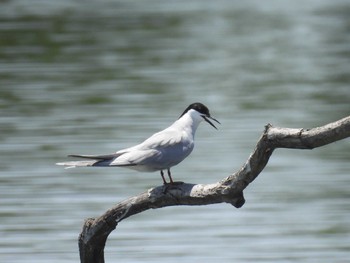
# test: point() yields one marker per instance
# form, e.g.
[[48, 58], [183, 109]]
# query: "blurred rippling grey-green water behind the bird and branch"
[[91, 77]]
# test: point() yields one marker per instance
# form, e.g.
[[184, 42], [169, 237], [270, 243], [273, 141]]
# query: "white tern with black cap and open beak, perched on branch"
[[159, 152]]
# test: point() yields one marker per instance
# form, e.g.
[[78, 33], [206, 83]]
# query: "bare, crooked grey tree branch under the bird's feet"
[[230, 190]]
